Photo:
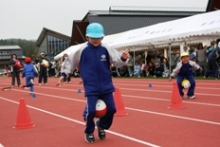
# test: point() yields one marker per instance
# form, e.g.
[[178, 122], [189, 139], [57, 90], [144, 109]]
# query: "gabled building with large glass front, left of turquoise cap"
[[51, 42]]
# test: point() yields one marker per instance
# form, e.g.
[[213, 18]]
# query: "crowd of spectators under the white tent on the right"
[[156, 65]]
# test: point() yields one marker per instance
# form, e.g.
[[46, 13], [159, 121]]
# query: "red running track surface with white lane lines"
[[57, 115]]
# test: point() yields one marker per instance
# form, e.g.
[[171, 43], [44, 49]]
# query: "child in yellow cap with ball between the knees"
[[184, 70]]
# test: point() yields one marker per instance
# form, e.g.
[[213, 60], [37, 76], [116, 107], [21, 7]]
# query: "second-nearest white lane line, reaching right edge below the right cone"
[[134, 109]]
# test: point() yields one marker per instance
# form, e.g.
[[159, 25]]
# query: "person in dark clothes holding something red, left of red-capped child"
[[15, 71]]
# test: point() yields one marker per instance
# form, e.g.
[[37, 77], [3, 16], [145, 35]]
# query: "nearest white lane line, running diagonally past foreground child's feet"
[[82, 123]]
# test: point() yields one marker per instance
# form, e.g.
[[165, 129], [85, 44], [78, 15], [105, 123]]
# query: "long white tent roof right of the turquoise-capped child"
[[197, 27]]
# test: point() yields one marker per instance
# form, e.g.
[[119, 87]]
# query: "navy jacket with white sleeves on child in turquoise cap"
[[94, 65]]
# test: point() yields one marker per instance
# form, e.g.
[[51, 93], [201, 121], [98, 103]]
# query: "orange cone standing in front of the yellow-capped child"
[[176, 101]]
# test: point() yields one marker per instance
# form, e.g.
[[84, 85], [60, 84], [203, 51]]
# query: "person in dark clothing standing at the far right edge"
[[213, 57]]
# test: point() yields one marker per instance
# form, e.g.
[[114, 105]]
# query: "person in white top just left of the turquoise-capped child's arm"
[[64, 76]]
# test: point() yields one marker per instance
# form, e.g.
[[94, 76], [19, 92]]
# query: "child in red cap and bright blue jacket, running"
[[29, 72]]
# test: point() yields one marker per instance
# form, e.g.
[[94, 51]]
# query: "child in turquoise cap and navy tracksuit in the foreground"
[[94, 59]]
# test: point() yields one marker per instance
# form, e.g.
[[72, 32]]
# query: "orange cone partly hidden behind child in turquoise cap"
[[119, 104]]
